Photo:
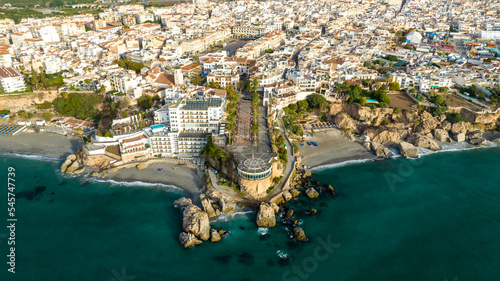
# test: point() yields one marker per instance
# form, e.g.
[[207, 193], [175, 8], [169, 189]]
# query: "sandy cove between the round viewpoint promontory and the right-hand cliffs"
[[333, 147]]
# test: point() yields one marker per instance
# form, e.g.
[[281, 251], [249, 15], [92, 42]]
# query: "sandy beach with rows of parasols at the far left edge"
[[42, 144]]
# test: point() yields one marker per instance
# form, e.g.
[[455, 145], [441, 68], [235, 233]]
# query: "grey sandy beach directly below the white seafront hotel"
[[183, 176]]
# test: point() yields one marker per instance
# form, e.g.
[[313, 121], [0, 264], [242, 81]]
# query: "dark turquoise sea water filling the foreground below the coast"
[[433, 218]]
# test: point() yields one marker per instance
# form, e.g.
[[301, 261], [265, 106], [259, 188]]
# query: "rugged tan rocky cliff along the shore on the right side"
[[406, 130]]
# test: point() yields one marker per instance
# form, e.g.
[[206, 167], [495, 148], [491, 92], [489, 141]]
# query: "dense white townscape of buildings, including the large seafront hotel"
[[189, 57]]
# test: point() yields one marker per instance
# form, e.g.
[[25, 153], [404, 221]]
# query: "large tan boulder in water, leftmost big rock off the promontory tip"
[[195, 221]]
